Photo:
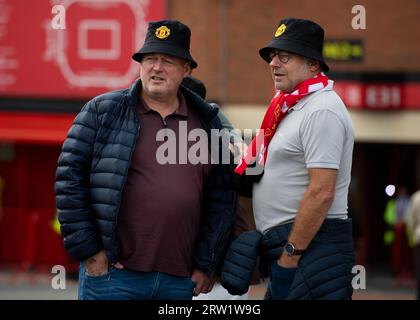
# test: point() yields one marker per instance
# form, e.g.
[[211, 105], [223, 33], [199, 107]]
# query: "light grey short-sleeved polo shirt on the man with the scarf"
[[317, 133]]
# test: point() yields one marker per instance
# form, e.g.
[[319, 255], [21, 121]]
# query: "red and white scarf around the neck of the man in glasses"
[[277, 110]]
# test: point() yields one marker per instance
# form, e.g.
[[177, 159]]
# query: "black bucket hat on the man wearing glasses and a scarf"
[[299, 36]]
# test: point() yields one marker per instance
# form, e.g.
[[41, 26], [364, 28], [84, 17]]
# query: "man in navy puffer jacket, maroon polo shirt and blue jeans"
[[142, 215]]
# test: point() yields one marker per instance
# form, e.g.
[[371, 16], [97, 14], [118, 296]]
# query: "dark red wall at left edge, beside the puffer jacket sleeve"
[[26, 236]]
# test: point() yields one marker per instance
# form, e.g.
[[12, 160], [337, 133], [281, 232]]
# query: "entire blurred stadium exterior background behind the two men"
[[57, 55]]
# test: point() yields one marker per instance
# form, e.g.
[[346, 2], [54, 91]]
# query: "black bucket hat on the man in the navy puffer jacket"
[[167, 36]]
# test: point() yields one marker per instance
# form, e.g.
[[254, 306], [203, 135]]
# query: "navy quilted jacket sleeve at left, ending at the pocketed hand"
[[81, 238]]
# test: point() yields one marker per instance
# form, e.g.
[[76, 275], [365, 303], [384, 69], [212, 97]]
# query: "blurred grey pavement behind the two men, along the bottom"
[[380, 285]]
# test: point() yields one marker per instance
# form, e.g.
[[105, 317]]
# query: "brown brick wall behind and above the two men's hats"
[[227, 34]]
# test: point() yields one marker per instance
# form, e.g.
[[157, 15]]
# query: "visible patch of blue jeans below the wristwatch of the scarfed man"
[[280, 281]]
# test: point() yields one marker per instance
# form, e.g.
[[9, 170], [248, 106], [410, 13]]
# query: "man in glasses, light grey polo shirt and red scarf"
[[306, 151]]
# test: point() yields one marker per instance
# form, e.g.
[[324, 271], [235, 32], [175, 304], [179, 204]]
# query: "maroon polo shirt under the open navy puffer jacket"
[[159, 219]]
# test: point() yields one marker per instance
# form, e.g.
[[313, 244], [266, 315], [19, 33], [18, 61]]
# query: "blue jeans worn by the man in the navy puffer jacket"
[[127, 284]]
